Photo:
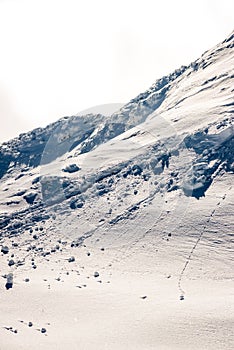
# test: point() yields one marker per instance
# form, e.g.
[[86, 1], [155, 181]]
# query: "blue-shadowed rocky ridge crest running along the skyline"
[[87, 132]]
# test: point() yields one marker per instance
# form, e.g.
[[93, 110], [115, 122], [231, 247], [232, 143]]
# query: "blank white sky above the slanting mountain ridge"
[[58, 57]]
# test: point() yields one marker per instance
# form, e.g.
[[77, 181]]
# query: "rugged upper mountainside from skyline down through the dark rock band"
[[175, 137]]
